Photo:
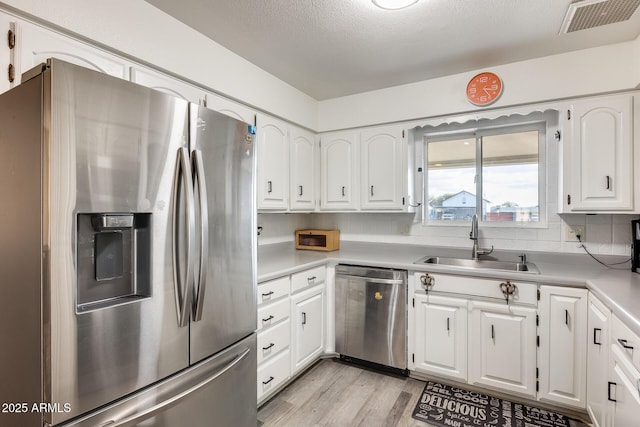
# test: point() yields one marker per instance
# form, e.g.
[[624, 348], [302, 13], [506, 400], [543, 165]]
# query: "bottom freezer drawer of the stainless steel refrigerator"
[[219, 391]]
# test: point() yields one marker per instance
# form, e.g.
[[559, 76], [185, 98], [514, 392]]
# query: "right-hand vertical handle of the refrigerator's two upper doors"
[[201, 285]]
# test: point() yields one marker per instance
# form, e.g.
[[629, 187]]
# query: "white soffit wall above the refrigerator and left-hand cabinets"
[[138, 29]]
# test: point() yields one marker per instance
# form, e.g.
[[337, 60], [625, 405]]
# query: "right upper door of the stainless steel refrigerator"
[[225, 298]]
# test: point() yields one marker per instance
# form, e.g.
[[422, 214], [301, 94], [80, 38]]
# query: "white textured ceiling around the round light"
[[331, 48]]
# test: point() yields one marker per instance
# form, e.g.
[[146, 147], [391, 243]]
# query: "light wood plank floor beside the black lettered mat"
[[333, 393]]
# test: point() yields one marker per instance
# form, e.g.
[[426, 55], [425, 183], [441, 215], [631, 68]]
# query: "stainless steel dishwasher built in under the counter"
[[371, 315]]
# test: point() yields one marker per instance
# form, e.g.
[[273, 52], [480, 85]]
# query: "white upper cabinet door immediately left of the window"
[[383, 168]]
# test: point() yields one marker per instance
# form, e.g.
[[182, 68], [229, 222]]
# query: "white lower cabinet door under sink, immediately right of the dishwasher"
[[441, 336]]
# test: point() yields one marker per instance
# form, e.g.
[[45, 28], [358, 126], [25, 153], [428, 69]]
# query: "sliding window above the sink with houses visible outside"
[[496, 171]]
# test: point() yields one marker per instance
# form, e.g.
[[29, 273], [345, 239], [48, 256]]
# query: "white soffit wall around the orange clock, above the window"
[[603, 69]]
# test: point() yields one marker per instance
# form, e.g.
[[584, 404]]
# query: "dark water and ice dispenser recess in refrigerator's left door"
[[113, 264]]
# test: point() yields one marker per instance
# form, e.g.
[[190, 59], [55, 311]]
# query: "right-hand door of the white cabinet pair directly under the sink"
[[503, 347]]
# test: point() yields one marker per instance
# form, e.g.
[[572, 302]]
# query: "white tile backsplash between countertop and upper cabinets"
[[605, 234]]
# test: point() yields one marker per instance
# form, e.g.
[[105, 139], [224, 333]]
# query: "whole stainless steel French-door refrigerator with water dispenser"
[[127, 256]]
